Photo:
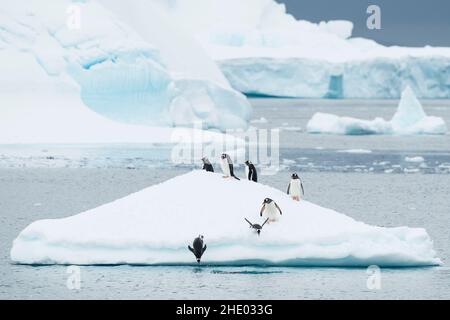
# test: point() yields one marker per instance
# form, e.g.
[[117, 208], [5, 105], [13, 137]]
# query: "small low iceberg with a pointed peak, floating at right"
[[410, 118]]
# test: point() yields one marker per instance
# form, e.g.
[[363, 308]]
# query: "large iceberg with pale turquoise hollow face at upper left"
[[114, 63]]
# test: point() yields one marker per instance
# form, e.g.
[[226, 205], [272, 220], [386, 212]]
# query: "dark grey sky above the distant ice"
[[403, 22]]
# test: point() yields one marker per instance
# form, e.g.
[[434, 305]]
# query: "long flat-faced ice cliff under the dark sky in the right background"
[[264, 50]]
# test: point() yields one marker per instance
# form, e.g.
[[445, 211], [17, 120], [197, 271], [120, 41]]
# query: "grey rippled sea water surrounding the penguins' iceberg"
[[381, 180]]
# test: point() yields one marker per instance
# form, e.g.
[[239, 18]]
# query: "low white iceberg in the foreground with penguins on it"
[[154, 227]]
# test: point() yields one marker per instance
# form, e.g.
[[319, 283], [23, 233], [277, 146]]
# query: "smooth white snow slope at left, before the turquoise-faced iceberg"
[[50, 111]]
